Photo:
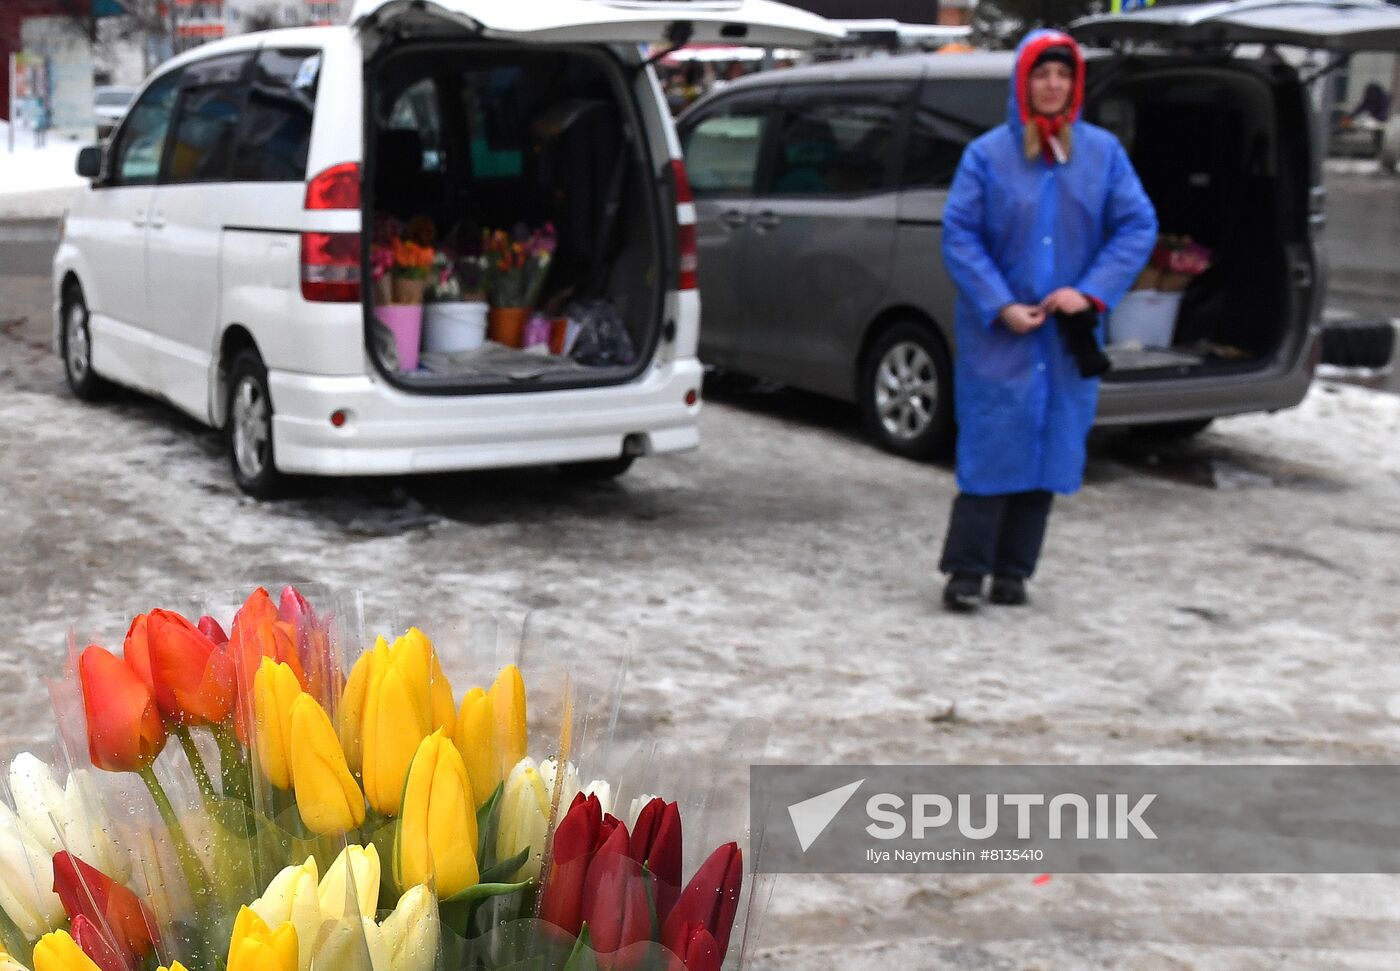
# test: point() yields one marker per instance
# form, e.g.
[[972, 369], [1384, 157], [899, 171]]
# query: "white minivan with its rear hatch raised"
[[220, 258]]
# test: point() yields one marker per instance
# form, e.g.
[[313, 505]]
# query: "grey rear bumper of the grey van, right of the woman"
[[1185, 399]]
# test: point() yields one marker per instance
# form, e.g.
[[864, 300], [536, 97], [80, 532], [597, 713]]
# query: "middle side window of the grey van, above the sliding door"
[[835, 149]]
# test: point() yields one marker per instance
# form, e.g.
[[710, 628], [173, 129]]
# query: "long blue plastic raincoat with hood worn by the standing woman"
[[1017, 229]]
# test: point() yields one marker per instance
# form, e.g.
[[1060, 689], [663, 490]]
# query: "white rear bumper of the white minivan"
[[393, 433]]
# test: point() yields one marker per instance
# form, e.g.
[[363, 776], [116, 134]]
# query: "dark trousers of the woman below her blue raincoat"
[[997, 535]]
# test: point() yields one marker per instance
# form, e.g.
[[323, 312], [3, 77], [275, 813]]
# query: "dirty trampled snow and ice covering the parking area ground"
[[1231, 600]]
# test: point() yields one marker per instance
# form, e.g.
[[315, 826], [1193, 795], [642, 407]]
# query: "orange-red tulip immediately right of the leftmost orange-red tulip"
[[194, 679]]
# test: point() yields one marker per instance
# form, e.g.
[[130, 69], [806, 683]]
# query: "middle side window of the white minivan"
[[206, 124]]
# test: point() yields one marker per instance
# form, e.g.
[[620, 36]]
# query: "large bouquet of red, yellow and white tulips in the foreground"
[[325, 815]]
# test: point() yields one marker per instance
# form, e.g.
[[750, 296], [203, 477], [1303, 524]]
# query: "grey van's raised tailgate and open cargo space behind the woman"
[[1224, 148]]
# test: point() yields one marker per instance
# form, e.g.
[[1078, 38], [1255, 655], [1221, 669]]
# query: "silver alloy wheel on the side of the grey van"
[[906, 392]]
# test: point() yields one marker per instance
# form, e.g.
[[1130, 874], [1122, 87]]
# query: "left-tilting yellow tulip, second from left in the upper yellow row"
[[327, 794]]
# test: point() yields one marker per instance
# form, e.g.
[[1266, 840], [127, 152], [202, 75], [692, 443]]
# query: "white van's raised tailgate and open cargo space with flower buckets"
[[527, 131]]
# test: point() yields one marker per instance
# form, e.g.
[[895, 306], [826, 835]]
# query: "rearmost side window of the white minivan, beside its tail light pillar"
[[276, 129]]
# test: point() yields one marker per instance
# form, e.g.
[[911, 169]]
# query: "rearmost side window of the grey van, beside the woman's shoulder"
[[948, 117]]
